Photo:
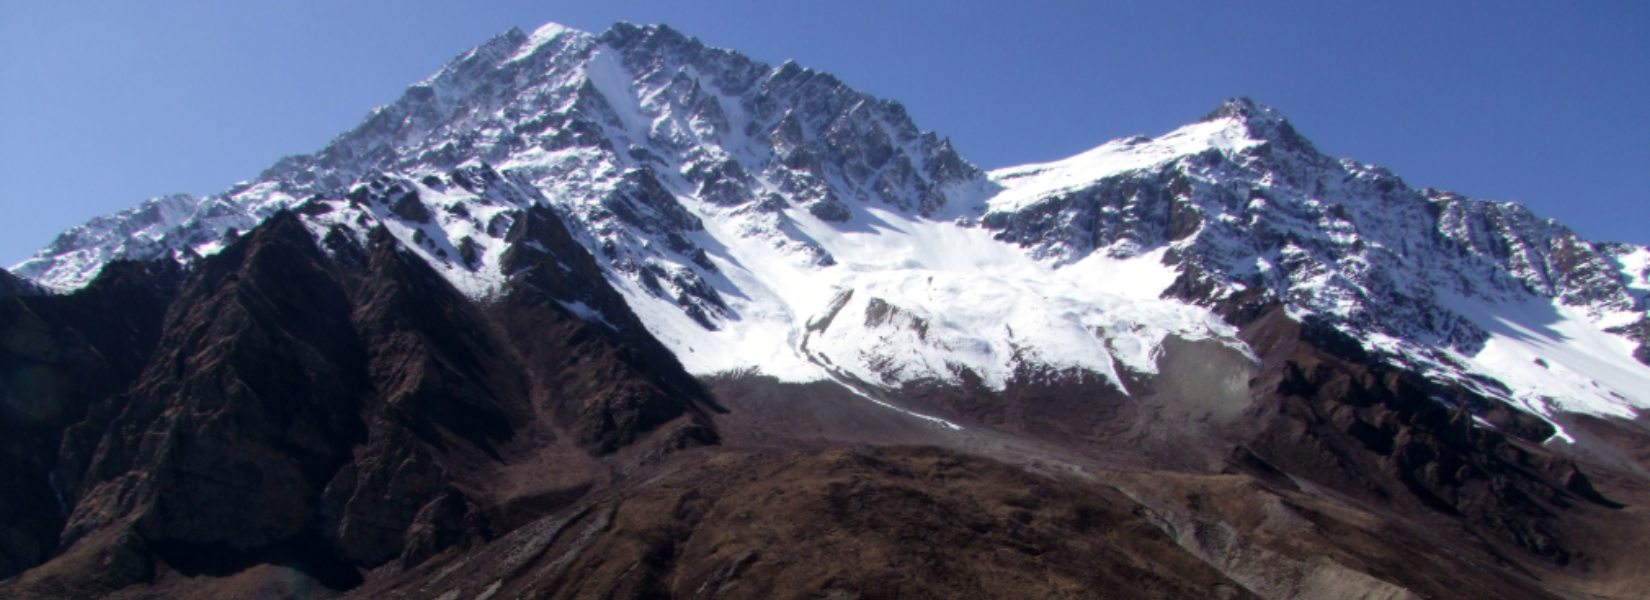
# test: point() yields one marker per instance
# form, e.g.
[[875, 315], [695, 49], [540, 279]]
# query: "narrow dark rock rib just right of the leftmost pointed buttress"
[[445, 400]]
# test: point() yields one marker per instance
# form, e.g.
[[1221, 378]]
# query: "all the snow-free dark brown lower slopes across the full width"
[[280, 423]]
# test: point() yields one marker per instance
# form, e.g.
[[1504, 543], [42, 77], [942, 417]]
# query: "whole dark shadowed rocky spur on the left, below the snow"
[[291, 410]]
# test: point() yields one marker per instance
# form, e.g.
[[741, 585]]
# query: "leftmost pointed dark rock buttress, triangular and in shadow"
[[245, 413]]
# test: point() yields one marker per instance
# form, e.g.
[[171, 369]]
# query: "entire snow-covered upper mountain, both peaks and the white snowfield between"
[[773, 218]]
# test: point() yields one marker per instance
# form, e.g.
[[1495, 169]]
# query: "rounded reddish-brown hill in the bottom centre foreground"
[[847, 523]]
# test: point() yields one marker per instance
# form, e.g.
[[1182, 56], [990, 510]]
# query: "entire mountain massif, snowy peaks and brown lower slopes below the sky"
[[580, 311]]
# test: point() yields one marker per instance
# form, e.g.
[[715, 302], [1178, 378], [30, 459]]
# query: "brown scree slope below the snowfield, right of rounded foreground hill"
[[1311, 474]]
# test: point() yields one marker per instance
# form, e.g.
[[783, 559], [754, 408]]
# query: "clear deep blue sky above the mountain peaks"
[[110, 103]]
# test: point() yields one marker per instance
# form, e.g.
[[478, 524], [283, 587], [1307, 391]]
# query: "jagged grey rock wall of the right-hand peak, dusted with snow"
[[1329, 237]]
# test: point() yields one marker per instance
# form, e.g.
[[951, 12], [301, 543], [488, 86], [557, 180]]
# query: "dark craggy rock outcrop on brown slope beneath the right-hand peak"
[[1379, 433]]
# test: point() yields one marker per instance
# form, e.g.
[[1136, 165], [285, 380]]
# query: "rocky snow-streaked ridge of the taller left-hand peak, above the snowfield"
[[610, 129]]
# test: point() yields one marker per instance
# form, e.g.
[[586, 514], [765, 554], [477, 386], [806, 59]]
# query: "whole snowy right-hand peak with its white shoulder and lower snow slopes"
[[1479, 294]]
